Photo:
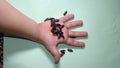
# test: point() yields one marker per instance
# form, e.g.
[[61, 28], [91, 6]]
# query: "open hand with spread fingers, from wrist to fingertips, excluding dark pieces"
[[50, 41]]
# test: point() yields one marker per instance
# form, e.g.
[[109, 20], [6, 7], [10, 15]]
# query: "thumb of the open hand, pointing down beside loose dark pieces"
[[55, 53]]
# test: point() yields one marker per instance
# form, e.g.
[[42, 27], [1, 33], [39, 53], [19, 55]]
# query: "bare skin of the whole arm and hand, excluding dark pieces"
[[15, 23]]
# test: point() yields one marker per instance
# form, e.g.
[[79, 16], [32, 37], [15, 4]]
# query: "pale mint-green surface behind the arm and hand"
[[101, 20]]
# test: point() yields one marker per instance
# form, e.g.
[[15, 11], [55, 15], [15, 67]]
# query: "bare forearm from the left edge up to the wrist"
[[15, 23]]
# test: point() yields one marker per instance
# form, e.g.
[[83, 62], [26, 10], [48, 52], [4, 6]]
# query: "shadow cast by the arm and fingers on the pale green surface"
[[22, 44]]
